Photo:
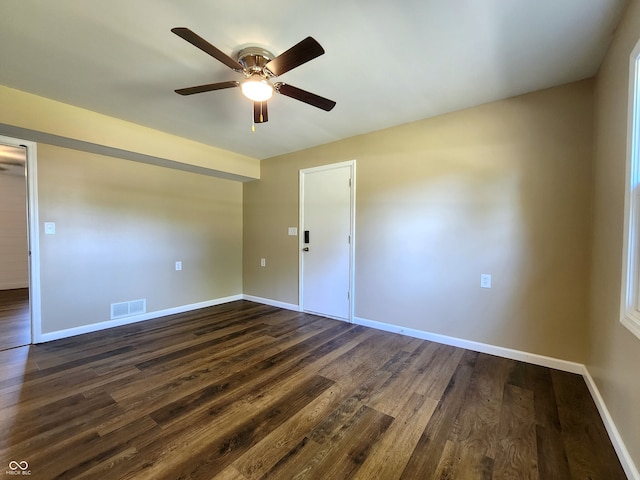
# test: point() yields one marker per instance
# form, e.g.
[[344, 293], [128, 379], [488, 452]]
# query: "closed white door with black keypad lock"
[[326, 238]]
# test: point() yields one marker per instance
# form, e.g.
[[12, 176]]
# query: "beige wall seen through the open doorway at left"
[[14, 266]]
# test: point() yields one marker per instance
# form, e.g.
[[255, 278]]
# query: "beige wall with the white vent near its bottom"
[[120, 227]]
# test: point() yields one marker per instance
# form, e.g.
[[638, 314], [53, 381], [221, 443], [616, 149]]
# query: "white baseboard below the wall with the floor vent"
[[94, 327]]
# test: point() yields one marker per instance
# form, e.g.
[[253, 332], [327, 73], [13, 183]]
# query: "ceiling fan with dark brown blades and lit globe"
[[259, 67]]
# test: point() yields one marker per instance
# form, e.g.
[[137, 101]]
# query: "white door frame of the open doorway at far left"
[[33, 233]]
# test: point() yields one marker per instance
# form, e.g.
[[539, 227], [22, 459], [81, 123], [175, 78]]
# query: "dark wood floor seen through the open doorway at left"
[[15, 324]]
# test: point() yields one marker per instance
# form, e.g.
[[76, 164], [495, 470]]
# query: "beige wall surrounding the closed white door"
[[503, 188]]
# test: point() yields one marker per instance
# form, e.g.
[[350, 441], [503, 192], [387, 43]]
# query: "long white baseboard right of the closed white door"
[[536, 359]]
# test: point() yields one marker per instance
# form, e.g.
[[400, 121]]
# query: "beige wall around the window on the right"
[[615, 352]]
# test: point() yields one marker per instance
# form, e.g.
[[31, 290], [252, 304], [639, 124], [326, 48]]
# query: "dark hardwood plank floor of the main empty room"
[[246, 391]]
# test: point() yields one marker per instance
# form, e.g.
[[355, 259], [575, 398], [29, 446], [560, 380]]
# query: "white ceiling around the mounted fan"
[[386, 62]]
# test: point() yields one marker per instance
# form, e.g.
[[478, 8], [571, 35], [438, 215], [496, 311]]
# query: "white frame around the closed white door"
[[352, 233]]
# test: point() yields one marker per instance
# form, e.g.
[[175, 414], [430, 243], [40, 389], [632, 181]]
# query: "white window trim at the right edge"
[[630, 287]]
